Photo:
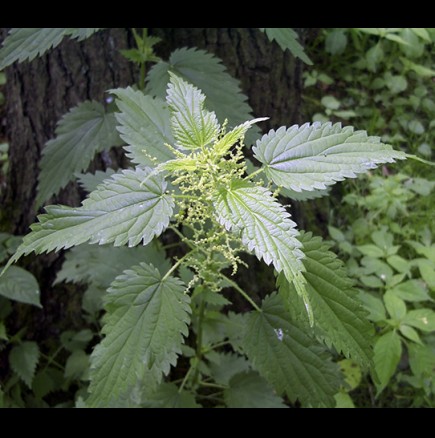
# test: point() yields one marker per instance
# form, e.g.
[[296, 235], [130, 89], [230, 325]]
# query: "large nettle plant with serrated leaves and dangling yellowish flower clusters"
[[171, 337]]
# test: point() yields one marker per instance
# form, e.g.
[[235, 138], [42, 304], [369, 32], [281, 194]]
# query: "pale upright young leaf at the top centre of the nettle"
[[193, 127]]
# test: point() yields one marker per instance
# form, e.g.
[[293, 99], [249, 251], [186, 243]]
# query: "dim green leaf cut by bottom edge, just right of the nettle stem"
[[250, 390]]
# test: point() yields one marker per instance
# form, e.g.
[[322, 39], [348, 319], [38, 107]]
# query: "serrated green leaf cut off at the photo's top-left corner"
[[25, 44]]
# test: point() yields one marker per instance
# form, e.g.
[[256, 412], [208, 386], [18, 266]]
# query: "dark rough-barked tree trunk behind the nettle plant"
[[40, 92]]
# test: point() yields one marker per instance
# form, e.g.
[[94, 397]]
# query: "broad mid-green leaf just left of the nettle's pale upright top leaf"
[[144, 124]]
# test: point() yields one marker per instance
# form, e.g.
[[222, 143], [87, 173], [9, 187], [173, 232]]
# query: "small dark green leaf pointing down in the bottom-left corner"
[[23, 359]]
